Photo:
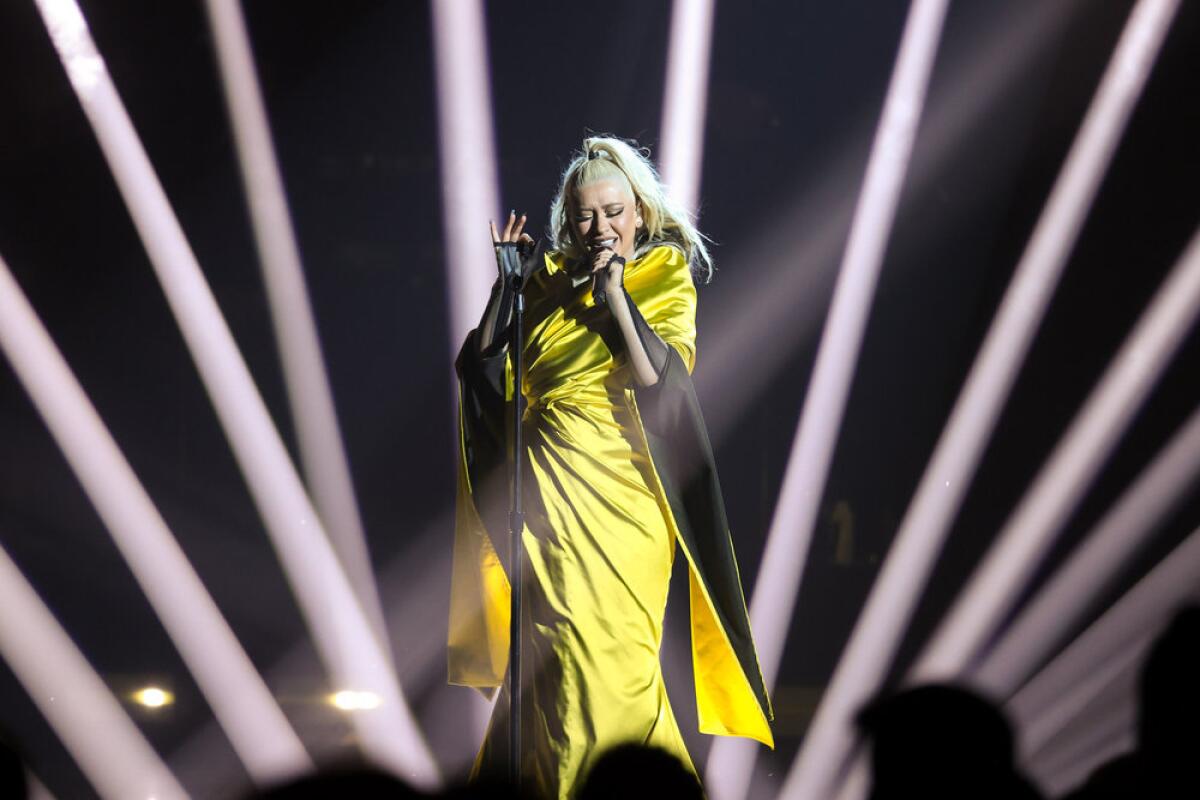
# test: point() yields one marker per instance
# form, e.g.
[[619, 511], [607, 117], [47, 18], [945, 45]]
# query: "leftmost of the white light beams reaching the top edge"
[[343, 634]]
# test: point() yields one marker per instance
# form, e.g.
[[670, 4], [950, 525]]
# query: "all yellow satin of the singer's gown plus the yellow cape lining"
[[599, 540]]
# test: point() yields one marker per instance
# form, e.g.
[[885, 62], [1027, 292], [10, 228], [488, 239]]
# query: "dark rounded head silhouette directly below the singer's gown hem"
[[637, 772]]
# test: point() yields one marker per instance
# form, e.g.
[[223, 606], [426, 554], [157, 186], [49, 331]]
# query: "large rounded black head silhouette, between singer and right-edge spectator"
[[940, 742]]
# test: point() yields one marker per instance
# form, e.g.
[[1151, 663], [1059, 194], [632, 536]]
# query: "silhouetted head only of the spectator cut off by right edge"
[[1171, 690]]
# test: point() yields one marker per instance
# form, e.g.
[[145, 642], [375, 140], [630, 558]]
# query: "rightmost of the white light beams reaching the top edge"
[[922, 534]]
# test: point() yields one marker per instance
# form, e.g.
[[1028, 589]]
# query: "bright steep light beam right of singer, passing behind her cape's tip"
[[731, 765]]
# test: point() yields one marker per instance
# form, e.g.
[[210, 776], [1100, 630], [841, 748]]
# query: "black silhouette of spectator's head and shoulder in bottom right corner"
[[1165, 765]]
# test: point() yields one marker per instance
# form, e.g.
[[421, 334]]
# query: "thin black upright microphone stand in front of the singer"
[[517, 525]]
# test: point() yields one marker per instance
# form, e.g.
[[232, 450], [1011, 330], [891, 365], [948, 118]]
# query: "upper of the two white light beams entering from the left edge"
[[239, 699]]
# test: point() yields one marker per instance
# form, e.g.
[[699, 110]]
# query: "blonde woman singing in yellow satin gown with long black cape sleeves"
[[619, 470]]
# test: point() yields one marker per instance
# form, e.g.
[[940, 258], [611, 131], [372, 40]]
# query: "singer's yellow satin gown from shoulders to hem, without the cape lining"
[[598, 540]]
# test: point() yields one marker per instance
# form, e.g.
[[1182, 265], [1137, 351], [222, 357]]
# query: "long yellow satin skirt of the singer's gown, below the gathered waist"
[[598, 568]]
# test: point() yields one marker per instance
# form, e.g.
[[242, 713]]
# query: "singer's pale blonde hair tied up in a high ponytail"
[[664, 221]]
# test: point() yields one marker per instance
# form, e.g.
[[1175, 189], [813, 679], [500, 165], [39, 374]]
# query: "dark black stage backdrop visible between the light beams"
[[795, 94]]
